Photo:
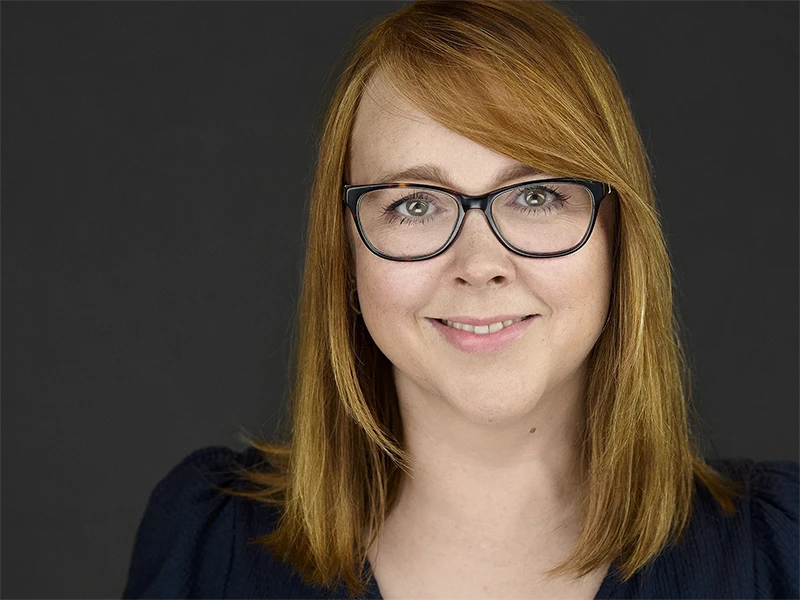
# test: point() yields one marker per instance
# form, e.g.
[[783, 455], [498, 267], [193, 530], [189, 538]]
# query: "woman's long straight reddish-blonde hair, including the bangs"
[[519, 78]]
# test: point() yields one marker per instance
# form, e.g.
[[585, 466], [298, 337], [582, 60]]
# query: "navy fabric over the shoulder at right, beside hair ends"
[[753, 552]]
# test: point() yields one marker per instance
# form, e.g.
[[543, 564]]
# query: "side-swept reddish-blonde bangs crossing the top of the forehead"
[[533, 89]]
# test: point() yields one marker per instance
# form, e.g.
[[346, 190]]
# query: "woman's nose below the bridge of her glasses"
[[480, 259]]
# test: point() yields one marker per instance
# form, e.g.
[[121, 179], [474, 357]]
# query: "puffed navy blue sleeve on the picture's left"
[[184, 544]]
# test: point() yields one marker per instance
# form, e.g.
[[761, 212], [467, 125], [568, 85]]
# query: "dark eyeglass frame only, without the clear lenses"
[[352, 194]]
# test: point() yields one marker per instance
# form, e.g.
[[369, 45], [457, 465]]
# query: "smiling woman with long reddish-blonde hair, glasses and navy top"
[[489, 403]]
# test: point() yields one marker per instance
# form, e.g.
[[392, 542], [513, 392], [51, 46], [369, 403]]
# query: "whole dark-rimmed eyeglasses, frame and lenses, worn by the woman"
[[538, 219]]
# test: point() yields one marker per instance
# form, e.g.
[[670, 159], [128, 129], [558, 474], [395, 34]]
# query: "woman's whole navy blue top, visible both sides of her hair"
[[193, 542]]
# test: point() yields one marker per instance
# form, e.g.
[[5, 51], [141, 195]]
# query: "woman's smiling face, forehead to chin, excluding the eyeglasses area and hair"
[[486, 378]]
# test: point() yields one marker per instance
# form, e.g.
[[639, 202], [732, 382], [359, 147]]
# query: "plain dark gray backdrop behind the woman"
[[156, 162]]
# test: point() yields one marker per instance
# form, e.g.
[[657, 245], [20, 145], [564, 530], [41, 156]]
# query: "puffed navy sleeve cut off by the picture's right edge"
[[775, 498]]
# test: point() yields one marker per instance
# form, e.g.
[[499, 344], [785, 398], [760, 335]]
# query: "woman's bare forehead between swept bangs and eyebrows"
[[391, 135]]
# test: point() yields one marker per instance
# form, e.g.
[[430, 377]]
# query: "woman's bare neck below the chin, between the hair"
[[498, 479]]
